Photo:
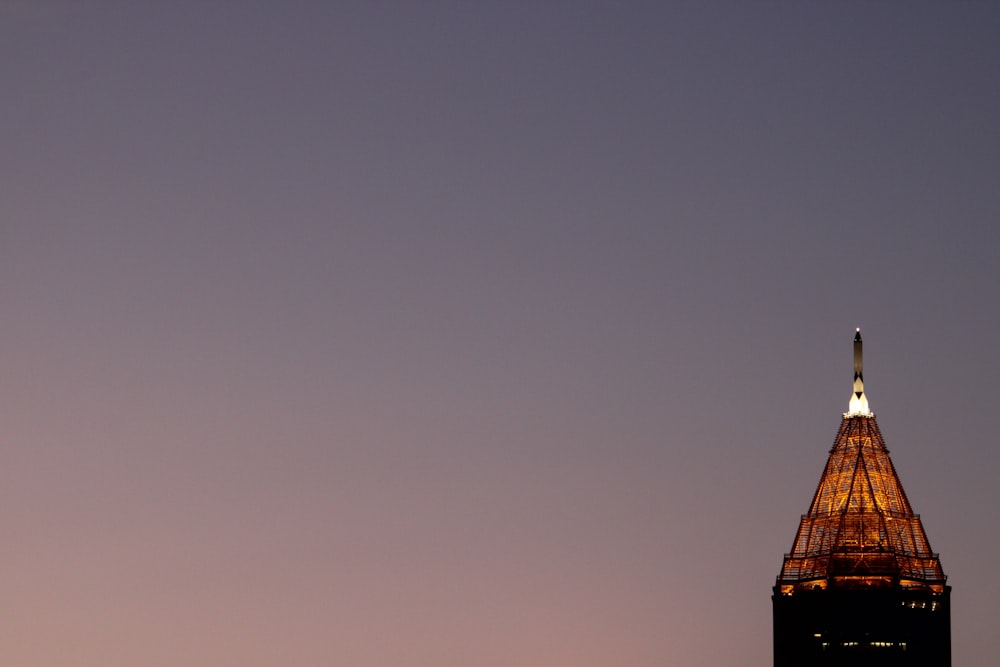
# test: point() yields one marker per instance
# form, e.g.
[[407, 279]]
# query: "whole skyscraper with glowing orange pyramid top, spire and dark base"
[[861, 585]]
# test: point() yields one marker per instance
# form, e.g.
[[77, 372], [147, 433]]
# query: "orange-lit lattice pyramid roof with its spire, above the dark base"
[[860, 531]]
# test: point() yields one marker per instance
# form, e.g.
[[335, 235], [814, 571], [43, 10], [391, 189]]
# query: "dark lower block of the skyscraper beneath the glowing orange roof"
[[861, 627]]
